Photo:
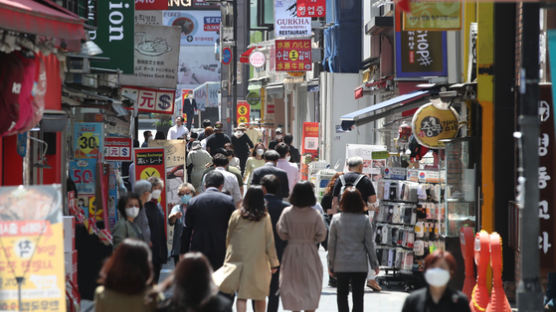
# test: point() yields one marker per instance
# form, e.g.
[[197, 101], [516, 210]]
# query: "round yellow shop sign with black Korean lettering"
[[431, 125]]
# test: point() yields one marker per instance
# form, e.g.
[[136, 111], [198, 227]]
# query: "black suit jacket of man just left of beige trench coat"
[[207, 216]]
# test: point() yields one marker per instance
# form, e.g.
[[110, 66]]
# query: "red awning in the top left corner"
[[49, 20]]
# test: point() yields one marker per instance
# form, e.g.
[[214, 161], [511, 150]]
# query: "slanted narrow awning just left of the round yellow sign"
[[393, 105]]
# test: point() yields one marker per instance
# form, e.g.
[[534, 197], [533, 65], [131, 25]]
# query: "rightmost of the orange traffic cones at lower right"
[[498, 300]]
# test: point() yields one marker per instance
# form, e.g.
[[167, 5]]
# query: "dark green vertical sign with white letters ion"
[[115, 34]]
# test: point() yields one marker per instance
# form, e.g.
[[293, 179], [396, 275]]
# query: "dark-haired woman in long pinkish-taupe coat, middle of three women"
[[301, 271]]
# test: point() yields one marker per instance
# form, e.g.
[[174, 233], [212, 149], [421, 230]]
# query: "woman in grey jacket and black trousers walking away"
[[350, 245]]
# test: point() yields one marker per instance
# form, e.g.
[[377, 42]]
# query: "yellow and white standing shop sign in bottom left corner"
[[32, 239]]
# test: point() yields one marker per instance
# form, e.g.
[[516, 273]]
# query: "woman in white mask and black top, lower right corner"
[[440, 266]]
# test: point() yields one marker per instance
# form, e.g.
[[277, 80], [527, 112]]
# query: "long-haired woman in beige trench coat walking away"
[[250, 241]]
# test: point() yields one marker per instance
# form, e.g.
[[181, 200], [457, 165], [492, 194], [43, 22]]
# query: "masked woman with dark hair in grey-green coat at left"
[[129, 206]]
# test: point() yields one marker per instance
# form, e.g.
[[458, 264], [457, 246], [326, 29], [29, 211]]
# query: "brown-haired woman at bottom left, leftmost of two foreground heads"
[[125, 278]]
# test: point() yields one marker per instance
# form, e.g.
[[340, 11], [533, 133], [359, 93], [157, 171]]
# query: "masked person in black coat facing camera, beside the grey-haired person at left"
[[156, 218]]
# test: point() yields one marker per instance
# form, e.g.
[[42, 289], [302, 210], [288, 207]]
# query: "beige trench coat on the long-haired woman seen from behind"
[[251, 243]]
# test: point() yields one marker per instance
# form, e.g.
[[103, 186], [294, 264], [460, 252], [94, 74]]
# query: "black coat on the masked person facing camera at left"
[[158, 233]]
